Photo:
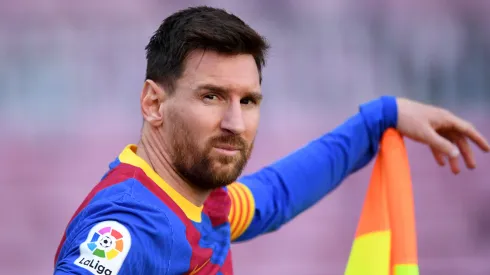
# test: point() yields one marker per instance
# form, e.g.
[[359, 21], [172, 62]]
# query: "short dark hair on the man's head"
[[199, 28]]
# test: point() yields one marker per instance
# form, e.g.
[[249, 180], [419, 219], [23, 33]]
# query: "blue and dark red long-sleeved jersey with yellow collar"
[[133, 222]]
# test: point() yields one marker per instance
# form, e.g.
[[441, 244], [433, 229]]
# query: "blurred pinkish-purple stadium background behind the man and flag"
[[71, 73]]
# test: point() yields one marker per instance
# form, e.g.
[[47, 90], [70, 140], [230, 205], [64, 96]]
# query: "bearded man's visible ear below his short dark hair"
[[151, 100]]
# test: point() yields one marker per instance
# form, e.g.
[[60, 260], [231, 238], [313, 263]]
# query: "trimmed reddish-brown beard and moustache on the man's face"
[[198, 166]]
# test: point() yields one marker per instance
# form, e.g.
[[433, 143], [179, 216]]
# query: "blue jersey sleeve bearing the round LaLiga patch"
[[116, 237]]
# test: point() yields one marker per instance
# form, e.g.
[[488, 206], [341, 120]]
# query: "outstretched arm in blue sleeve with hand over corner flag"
[[265, 200]]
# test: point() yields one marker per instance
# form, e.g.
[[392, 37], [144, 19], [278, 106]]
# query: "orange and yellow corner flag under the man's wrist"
[[386, 241]]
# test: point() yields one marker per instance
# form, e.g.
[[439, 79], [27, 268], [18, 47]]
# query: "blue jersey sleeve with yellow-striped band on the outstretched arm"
[[265, 200]]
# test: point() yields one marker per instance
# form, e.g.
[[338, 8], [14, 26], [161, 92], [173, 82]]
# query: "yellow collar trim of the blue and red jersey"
[[128, 156]]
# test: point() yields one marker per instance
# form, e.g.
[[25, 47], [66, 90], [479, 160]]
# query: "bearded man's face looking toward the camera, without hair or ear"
[[211, 119]]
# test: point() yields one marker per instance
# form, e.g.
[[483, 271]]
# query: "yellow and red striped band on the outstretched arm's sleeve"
[[242, 209]]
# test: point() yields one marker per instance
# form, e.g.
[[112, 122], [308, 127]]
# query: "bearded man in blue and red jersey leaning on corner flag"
[[172, 204]]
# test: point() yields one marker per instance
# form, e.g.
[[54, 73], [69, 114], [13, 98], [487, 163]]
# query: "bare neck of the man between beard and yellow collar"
[[154, 153]]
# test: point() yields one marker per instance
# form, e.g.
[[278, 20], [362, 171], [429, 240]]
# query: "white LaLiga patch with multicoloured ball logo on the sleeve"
[[105, 249]]
